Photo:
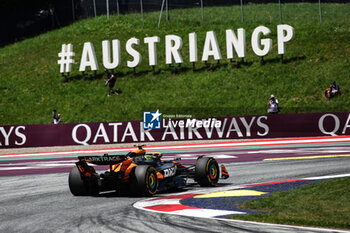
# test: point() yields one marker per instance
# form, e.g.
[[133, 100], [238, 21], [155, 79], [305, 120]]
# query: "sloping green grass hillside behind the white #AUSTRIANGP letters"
[[31, 86]]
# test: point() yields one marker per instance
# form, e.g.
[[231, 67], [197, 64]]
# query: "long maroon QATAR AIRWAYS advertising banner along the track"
[[155, 128]]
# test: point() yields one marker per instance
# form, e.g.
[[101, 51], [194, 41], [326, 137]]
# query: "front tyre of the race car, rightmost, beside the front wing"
[[207, 172]]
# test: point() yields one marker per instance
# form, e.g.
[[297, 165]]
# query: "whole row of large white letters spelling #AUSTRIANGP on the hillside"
[[236, 47]]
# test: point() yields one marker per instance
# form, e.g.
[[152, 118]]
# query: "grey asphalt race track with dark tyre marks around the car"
[[42, 202]]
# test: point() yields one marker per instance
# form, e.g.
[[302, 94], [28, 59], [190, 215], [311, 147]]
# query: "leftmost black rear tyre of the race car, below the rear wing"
[[80, 187]]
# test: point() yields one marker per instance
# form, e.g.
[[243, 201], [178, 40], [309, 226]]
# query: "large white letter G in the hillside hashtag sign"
[[265, 43]]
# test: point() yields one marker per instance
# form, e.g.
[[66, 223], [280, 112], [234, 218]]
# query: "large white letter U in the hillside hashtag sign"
[[106, 53]]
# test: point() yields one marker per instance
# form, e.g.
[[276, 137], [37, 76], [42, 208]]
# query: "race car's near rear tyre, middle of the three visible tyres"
[[144, 181]]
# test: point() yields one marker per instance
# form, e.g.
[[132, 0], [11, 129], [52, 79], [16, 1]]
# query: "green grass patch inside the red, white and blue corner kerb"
[[322, 204]]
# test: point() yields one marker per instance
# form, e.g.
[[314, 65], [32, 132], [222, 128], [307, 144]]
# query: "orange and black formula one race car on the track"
[[140, 173]]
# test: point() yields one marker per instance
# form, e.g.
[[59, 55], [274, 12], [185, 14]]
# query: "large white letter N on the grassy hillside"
[[238, 43]]
